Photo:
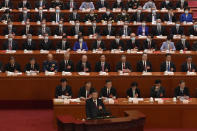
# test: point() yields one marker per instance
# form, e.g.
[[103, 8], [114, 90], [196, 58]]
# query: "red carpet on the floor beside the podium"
[[38, 120]]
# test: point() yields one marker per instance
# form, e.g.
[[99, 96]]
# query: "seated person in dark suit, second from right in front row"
[[157, 91]]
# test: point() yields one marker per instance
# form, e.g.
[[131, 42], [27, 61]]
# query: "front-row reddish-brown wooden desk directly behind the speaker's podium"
[[166, 115]]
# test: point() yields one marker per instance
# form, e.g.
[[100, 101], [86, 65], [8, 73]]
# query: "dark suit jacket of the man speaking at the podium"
[[92, 111]]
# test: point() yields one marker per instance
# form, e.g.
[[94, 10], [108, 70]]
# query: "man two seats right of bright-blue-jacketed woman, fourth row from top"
[[117, 43]]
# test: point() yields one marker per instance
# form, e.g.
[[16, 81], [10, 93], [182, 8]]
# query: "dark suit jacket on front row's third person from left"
[[103, 92]]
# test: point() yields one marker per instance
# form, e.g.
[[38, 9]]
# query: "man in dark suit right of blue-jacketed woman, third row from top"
[[158, 29]]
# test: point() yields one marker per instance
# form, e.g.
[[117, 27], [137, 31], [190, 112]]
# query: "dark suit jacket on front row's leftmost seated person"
[[59, 91]]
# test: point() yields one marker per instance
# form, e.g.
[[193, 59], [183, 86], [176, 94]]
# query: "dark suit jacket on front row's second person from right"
[[157, 94]]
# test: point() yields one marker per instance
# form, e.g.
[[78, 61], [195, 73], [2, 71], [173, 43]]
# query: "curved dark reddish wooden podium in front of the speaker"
[[132, 121]]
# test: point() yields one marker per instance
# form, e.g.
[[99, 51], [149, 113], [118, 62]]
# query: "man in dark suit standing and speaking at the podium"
[[95, 108]]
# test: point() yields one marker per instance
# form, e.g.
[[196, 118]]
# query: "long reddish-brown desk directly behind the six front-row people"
[[41, 87]]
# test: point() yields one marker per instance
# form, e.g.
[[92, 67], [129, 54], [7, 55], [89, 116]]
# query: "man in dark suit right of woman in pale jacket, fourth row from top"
[[183, 44]]
